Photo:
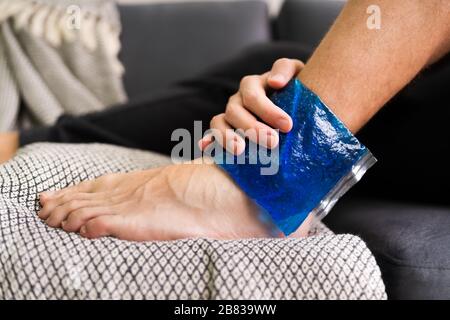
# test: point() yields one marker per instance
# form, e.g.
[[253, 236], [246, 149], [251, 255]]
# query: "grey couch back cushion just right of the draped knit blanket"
[[163, 43]]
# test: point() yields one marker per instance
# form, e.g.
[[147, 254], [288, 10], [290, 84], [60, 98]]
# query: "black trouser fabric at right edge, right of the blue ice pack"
[[409, 136]]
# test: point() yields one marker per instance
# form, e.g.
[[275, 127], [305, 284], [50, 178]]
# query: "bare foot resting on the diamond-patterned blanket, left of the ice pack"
[[173, 202]]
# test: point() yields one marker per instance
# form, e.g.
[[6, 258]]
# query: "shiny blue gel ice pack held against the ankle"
[[317, 161]]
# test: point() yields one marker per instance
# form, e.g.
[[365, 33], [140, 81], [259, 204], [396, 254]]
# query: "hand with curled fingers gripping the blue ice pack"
[[250, 103]]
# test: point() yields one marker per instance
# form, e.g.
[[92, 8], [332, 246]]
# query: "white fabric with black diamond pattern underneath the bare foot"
[[39, 262]]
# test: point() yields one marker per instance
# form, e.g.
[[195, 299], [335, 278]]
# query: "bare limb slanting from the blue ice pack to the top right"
[[356, 70]]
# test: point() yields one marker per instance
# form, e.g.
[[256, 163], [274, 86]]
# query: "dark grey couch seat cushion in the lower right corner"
[[410, 243]]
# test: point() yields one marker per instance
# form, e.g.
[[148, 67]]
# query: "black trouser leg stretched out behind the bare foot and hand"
[[148, 124]]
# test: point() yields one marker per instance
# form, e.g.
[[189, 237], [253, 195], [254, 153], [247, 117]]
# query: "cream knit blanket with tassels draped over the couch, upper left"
[[60, 57]]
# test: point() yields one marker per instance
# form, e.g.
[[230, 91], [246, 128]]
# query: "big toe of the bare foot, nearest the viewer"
[[102, 226]]
